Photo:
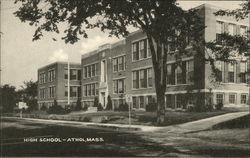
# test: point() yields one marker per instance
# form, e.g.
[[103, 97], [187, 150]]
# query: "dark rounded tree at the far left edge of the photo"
[[8, 98]]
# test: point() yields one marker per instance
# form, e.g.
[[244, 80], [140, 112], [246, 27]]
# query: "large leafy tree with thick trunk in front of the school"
[[165, 24]]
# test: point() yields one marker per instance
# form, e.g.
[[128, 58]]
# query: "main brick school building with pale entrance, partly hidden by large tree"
[[125, 67]]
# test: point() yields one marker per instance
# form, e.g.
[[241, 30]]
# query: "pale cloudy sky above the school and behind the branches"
[[20, 57]]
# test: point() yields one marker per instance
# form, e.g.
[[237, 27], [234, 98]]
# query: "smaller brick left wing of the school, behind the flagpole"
[[53, 84]]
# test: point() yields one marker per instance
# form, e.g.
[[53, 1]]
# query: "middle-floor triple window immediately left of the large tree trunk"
[[142, 78]]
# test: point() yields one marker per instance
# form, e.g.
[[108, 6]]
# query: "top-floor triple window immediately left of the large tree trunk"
[[140, 50]]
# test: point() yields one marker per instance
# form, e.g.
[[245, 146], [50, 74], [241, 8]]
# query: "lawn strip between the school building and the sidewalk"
[[137, 117]]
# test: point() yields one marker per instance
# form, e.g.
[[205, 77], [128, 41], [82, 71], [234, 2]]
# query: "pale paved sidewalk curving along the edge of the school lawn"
[[182, 128]]
